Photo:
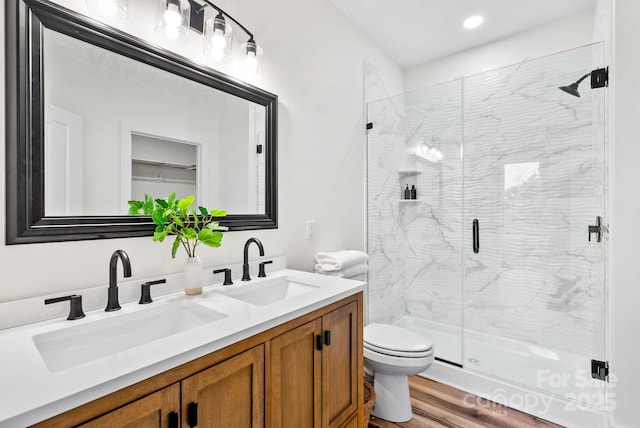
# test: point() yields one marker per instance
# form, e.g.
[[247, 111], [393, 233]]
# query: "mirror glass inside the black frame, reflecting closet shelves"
[[119, 121]]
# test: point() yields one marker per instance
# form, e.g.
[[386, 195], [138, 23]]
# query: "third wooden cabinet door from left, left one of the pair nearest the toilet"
[[294, 378]]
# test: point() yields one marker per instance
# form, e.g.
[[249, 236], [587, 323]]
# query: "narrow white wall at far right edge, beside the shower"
[[625, 213]]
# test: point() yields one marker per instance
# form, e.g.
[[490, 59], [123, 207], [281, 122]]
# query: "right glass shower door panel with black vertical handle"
[[534, 185]]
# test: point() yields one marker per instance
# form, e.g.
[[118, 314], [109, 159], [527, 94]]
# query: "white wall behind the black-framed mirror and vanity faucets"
[[313, 62]]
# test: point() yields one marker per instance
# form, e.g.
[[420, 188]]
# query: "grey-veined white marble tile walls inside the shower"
[[510, 149]]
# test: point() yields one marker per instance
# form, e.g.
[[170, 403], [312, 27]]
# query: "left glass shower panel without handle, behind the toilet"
[[415, 245]]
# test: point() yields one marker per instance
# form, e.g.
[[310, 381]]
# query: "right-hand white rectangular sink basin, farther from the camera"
[[266, 292]]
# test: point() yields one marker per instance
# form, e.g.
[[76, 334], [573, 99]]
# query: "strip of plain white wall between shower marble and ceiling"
[[568, 33]]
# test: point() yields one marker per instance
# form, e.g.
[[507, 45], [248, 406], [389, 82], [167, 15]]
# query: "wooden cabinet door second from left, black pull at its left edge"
[[229, 394]]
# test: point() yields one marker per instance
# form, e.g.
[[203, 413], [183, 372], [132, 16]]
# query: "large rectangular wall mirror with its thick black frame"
[[37, 32]]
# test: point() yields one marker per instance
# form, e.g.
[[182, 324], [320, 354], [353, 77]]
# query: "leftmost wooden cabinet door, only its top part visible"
[[152, 411]]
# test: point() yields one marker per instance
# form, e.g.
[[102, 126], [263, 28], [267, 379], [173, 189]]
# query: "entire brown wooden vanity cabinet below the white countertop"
[[306, 372]]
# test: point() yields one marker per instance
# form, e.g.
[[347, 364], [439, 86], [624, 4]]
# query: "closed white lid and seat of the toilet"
[[393, 338]]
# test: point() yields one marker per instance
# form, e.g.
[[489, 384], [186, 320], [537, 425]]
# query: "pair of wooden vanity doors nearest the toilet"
[[312, 372]]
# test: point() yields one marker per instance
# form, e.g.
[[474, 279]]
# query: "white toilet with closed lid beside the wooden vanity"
[[392, 353]]
